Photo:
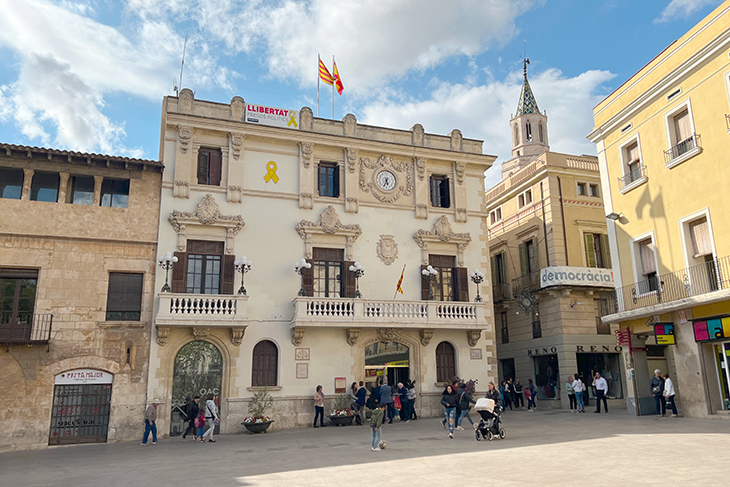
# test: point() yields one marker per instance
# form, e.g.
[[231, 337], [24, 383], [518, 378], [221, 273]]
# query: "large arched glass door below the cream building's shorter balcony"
[[198, 372]]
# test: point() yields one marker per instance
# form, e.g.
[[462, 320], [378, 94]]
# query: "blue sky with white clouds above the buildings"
[[90, 75]]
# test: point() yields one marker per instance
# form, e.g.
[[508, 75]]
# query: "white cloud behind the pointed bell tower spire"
[[483, 111]]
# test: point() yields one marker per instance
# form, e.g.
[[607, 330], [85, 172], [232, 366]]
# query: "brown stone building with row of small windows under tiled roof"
[[78, 238]]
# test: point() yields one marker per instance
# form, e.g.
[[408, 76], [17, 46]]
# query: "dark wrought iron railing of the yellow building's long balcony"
[[708, 277]]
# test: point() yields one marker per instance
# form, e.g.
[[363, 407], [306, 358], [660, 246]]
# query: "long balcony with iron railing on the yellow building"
[[687, 287]]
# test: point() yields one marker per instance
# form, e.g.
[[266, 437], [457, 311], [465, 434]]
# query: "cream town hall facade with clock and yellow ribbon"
[[278, 186]]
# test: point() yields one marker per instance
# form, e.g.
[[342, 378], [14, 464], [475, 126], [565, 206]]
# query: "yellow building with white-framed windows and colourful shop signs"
[[662, 141]]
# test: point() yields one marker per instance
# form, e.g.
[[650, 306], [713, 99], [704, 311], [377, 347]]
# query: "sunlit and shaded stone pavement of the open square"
[[541, 448]]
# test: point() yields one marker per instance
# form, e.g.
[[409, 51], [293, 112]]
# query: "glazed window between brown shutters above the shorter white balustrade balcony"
[[204, 261]]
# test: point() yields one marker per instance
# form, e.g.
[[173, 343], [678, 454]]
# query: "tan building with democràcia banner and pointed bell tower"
[[550, 262]]
